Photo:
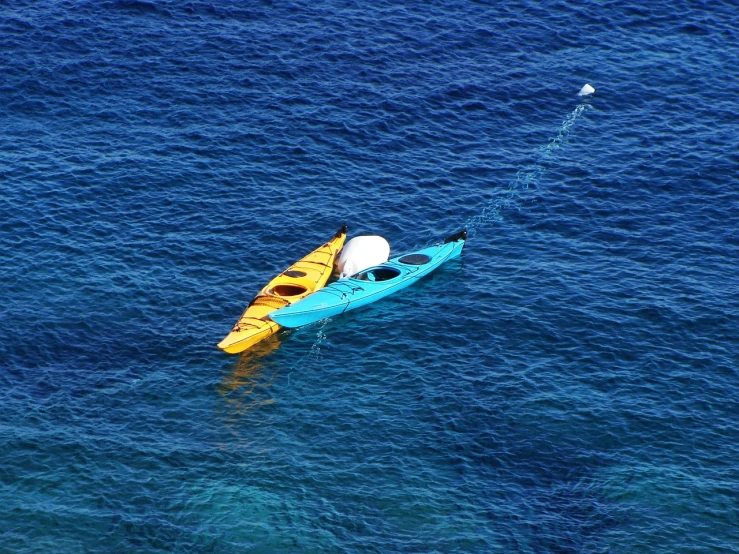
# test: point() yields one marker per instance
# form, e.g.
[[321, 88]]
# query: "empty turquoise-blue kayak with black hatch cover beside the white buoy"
[[369, 285]]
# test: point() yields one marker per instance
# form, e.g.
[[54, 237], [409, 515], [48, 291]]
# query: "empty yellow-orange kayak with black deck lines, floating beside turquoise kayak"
[[295, 283]]
